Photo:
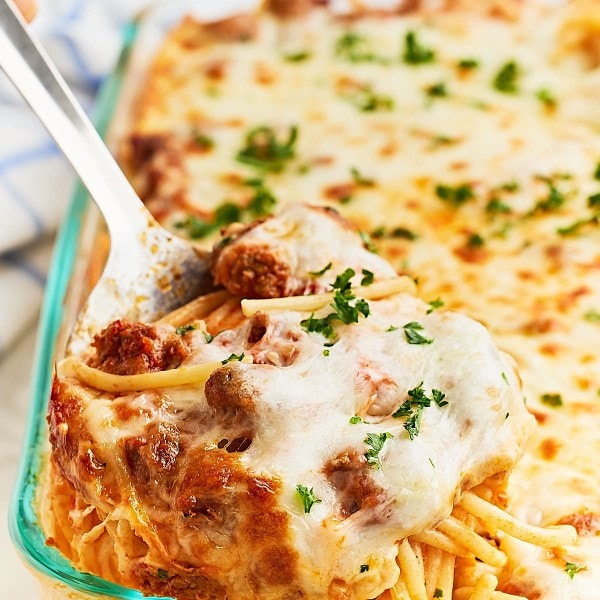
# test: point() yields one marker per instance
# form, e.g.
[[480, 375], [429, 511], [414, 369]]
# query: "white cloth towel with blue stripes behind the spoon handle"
[[84, 38]]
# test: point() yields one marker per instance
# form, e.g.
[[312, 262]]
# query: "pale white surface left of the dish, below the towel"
[[15, 383]]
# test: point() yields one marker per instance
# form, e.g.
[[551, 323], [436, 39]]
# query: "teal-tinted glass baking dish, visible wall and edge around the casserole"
[[68, 282]]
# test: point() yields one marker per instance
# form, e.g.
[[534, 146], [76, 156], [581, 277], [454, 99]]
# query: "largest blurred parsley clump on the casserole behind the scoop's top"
[[264, 151]]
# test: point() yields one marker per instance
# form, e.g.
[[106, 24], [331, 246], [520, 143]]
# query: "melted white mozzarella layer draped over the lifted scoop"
[[302, 423]]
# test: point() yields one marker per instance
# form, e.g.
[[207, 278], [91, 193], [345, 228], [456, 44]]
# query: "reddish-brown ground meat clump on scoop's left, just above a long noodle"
[[125, 348]]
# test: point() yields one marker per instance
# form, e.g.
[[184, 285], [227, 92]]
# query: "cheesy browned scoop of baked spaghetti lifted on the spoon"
[[284, 456]]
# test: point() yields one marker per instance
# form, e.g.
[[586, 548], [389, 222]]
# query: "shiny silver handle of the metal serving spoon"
[[27, 65]]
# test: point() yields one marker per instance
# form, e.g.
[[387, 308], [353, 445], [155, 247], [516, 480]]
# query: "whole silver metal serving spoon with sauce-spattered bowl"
[[149, 271]]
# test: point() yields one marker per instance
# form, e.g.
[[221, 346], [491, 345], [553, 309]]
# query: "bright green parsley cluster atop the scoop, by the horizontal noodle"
[[346, 306]]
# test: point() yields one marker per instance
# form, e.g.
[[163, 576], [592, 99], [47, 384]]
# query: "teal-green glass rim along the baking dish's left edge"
[[23, 523]]
